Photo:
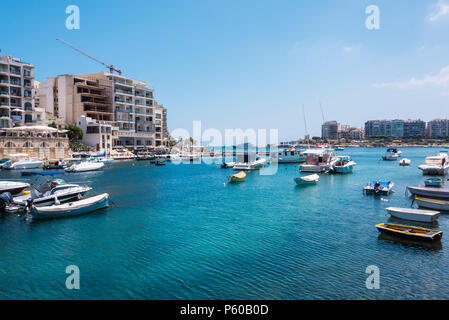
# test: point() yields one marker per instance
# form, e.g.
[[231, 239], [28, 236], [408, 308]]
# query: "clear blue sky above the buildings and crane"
[[252, 64]]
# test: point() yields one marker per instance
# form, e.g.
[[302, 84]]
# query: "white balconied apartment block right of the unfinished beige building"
[[140, 120]]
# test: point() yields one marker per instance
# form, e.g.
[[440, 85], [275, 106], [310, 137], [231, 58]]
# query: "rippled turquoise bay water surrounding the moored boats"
[[178, 232]]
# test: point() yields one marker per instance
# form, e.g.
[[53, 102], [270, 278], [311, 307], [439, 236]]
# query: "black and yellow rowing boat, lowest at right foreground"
[[410, 233]]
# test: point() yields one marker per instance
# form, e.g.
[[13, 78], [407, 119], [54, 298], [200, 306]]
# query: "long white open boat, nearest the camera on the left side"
[[72, 208]]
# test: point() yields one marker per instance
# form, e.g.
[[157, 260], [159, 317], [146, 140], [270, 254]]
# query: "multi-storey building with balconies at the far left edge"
[[16, 92]]
